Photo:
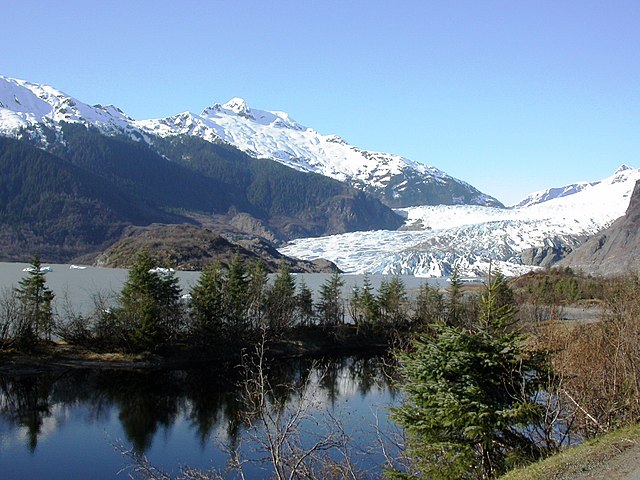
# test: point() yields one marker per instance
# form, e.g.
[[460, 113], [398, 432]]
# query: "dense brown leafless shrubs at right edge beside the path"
[[600, 362]]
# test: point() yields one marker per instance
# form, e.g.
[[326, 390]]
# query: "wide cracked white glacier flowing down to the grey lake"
[[437, 238]]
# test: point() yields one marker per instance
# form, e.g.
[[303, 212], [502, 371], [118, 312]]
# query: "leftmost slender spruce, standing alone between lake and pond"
[[36, 306]]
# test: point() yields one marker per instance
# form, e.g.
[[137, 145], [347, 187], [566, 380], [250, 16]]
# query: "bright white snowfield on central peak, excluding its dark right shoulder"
[[275, 135]]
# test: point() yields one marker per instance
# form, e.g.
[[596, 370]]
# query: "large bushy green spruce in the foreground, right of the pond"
[[468, 396]]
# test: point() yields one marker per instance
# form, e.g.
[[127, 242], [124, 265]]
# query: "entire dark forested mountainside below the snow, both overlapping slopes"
[[77, 197]]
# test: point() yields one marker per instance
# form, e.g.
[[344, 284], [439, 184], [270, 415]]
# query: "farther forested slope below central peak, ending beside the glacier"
[[298, 203]]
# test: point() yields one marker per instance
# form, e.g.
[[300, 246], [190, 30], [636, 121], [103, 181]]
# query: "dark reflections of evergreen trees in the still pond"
[[211, 400]]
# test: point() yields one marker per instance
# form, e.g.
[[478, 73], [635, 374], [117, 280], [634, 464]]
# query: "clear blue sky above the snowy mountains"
[[510, 96]]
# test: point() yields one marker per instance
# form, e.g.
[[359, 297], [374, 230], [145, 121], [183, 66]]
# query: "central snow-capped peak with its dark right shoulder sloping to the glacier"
[[275, 135]]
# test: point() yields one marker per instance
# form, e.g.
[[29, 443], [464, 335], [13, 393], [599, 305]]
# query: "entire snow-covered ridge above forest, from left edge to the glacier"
[[25, 108]]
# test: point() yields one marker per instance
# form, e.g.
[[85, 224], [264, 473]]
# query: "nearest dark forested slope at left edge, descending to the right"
[[53, 207]]
